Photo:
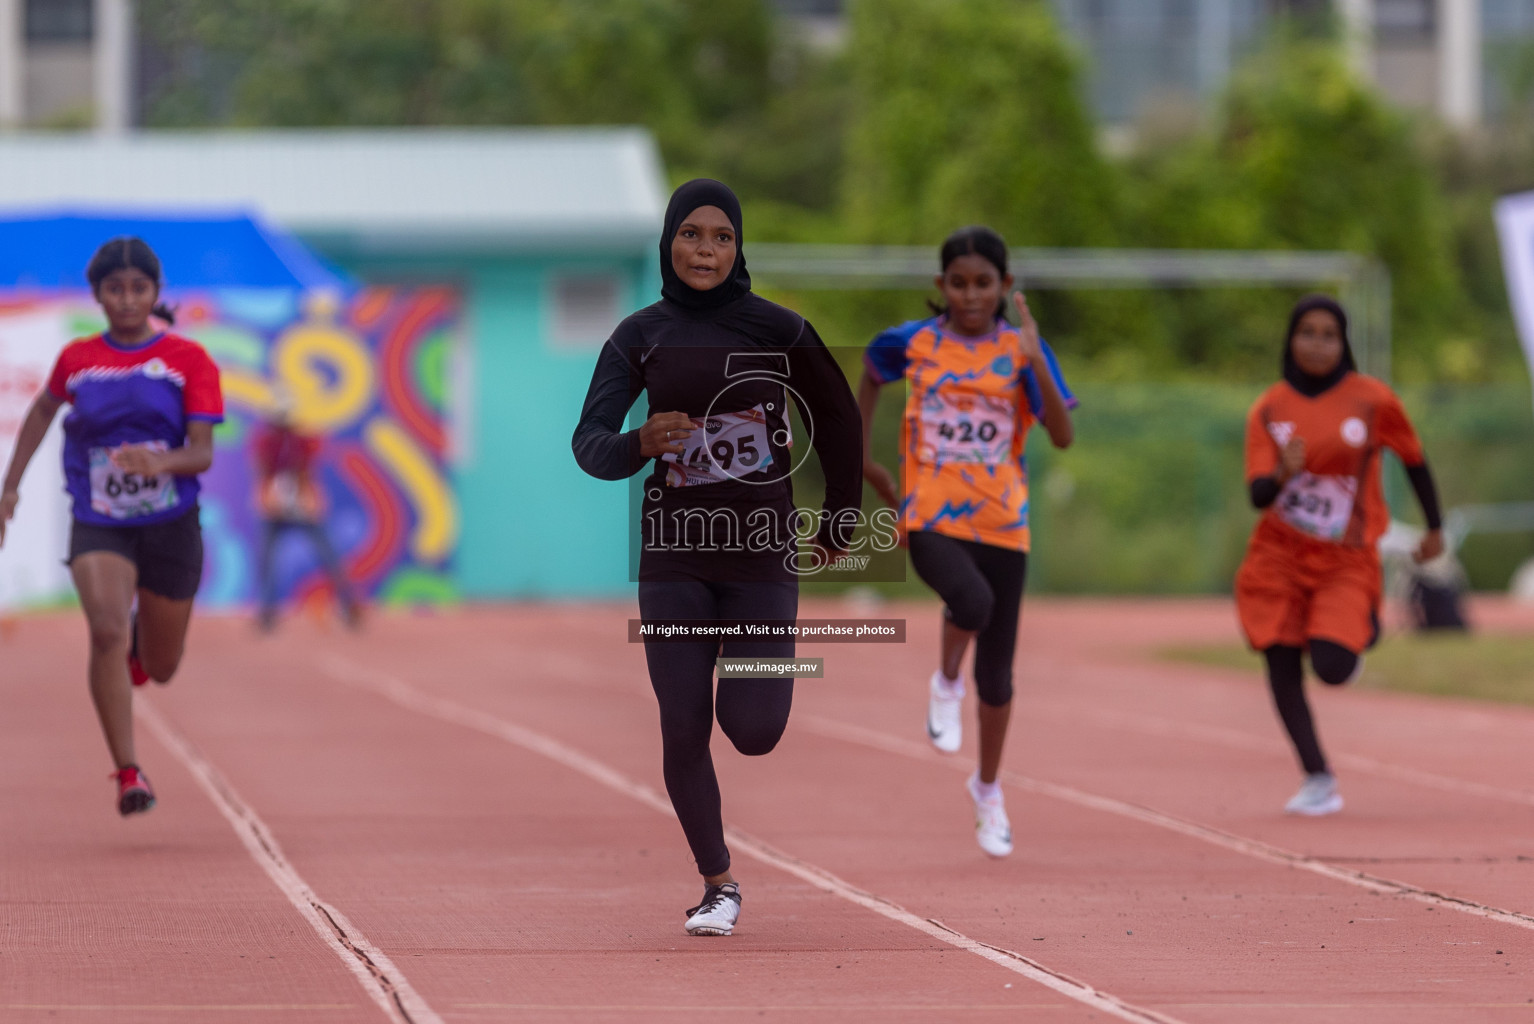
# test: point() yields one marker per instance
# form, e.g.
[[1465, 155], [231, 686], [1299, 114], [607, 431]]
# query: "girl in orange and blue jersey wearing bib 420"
[[976, 389]]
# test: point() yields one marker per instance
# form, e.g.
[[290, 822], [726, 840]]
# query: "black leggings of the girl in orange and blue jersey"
[[983, 591]]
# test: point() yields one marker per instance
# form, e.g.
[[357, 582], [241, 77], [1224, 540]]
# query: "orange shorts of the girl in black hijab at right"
[[1292, 589]]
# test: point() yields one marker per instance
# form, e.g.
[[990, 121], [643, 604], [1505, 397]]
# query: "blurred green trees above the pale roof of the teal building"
[[677, 67]]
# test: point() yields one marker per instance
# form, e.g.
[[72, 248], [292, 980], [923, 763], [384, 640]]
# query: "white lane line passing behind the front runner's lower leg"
[[412, 700]]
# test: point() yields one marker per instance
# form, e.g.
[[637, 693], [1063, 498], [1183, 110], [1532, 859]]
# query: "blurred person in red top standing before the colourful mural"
[[289, 499]]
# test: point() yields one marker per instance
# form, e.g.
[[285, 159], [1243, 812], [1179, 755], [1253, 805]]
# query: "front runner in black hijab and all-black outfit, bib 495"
[[719, 530]]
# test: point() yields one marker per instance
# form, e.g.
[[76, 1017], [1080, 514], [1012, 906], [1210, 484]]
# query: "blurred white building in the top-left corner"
[[67, 64]]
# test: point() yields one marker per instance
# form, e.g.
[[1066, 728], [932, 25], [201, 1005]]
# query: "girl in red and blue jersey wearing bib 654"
[[142, 430]]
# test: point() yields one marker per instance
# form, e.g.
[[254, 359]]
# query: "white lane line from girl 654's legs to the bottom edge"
[[384, 983]]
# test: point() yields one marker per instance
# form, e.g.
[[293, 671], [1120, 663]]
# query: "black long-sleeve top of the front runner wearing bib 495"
[[749, 355]]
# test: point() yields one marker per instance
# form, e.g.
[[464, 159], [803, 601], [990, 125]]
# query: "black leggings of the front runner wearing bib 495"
[[752, 712]]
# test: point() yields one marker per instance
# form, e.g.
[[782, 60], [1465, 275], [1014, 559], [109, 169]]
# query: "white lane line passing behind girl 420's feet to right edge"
[[1108, 806]]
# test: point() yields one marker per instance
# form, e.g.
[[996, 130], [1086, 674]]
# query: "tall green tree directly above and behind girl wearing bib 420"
[[969, 113]]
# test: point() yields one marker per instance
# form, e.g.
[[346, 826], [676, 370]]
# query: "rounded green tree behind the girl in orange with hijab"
[[1303, 156]]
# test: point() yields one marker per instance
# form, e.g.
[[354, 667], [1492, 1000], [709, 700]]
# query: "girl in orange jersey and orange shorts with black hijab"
[[1311, 579]]
